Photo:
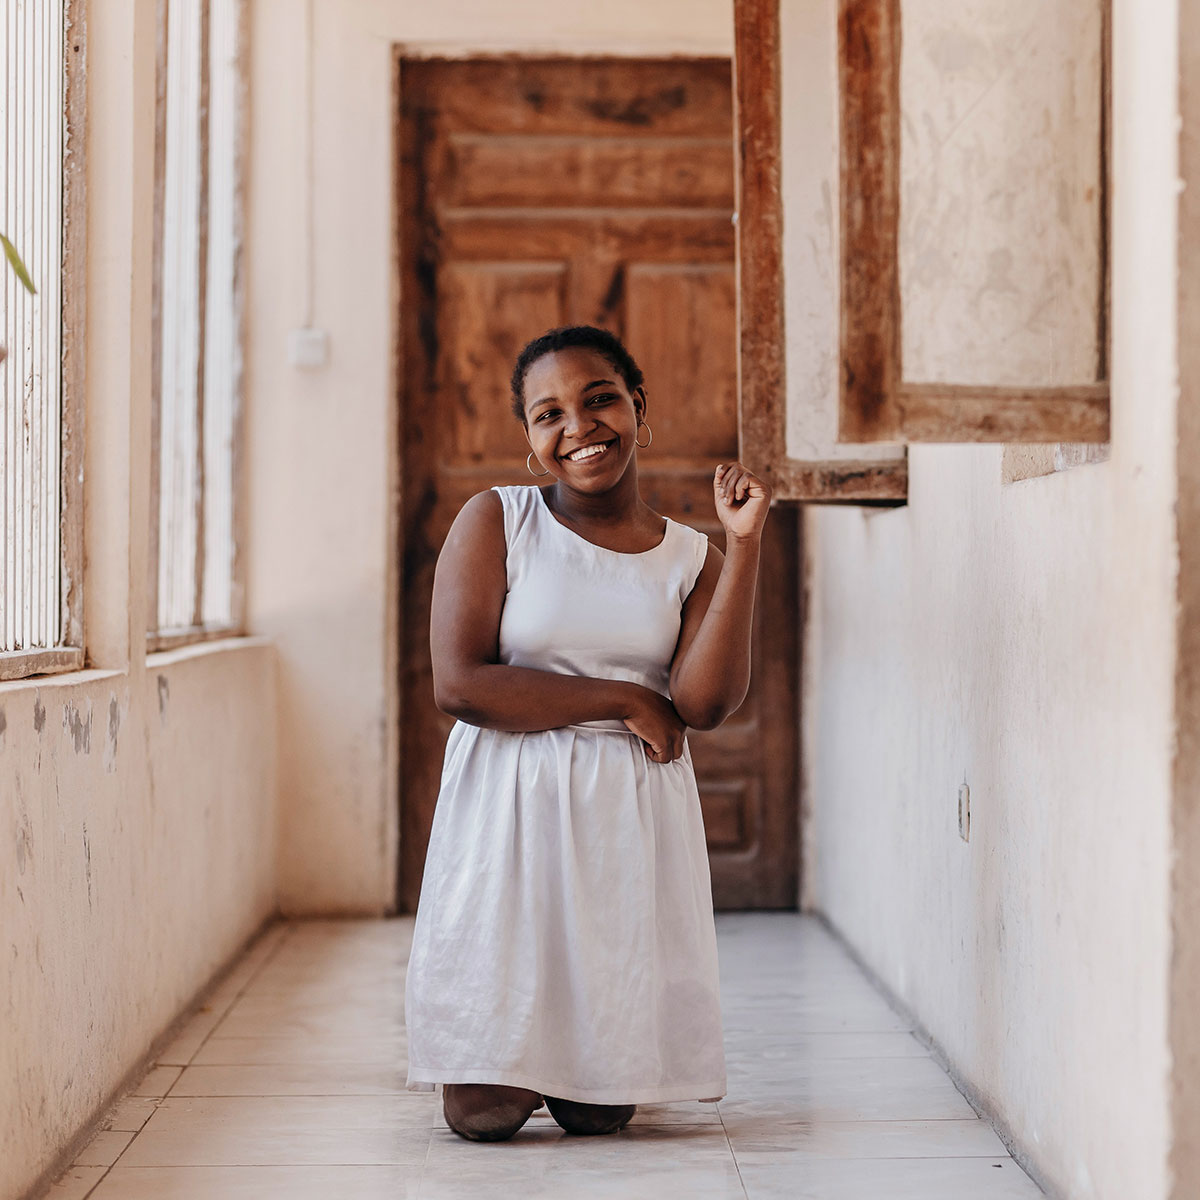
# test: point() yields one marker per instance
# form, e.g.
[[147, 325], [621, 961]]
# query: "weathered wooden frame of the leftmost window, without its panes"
[[70, 656]]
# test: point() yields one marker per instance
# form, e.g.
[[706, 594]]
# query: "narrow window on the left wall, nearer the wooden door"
[[195, 586]]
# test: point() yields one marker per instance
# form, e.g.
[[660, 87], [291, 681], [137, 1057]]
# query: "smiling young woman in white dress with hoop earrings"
[[565, 946]]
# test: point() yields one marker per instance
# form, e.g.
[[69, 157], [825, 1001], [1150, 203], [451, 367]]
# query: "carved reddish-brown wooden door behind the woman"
[[545, 193]]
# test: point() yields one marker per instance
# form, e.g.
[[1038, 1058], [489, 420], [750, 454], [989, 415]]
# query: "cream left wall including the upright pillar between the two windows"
[[137, 799]]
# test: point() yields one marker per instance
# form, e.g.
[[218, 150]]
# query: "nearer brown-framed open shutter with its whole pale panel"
[[974, 205]]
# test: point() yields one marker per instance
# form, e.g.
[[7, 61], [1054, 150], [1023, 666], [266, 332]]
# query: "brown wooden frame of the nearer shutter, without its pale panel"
[[877, 404]]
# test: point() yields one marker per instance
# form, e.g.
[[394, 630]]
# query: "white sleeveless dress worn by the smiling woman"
[[565, 938]]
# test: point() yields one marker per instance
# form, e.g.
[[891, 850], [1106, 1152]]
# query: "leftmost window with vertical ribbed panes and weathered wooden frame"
[[40, 394]]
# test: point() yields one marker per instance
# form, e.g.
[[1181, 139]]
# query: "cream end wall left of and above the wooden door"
[[321, 445]]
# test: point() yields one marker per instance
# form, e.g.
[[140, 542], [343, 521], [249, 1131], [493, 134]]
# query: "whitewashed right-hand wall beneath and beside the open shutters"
[[1021, 639]]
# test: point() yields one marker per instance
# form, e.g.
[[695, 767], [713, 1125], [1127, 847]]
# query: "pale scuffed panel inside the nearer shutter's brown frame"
[[1000, 131]]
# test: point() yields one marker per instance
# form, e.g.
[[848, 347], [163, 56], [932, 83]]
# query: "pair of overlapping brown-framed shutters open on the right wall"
[[923, 236]]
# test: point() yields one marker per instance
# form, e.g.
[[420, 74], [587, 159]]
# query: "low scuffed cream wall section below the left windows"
[[139, 855]]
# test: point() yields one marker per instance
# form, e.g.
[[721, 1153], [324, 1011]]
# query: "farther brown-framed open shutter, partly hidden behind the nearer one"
[[795, 445]]
